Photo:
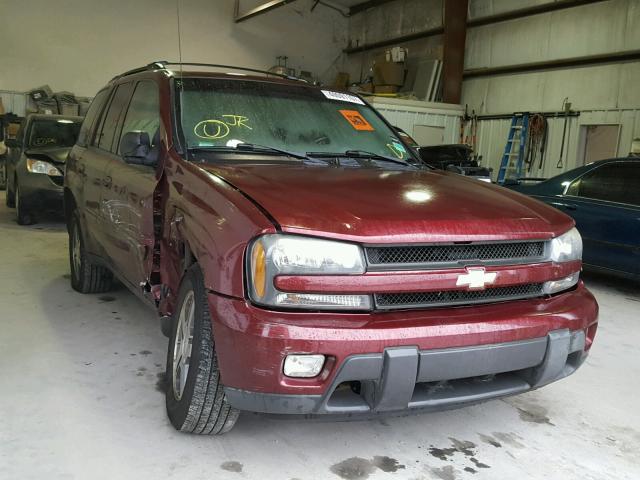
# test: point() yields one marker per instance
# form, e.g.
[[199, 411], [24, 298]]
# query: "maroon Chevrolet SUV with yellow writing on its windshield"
[[303, 262]]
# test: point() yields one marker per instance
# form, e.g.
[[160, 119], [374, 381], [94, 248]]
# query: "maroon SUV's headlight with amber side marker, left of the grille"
[[272, 255]]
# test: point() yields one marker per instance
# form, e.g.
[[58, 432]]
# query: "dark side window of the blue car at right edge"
[[615, 182]]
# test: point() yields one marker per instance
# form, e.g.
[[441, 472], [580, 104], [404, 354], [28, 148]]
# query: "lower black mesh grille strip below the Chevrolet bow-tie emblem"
[[386, 301]]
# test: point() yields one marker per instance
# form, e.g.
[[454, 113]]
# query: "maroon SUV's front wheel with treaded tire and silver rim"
[[196, 402]]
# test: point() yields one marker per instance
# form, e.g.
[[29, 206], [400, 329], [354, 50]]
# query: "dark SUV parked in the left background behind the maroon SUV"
[[35, 164]]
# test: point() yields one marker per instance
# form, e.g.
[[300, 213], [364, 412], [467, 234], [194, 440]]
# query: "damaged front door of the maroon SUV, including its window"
[[129, 198]]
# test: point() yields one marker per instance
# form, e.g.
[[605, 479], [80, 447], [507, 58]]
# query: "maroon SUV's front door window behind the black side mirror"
[[144, 111]]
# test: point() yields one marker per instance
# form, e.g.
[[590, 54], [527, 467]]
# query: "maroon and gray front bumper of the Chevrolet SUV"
[[394, 361]]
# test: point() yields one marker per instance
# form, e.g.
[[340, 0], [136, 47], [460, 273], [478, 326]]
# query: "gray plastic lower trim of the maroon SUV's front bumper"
[[405, 378]]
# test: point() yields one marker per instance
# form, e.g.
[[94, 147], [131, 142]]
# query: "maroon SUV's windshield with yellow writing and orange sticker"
[[222, 113]]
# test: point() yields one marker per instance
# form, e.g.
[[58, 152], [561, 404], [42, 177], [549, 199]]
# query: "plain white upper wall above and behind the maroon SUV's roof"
[[78, 45]]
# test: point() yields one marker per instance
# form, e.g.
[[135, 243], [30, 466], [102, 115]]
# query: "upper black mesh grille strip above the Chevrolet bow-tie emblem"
[[432, 256]]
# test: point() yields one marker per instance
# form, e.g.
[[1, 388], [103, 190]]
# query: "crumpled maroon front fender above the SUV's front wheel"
[[210, 221]]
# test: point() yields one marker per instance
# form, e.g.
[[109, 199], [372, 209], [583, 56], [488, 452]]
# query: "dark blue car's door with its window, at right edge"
[[605, 203]]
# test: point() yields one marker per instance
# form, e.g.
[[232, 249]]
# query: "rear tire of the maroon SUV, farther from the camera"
[[86, 277]]
